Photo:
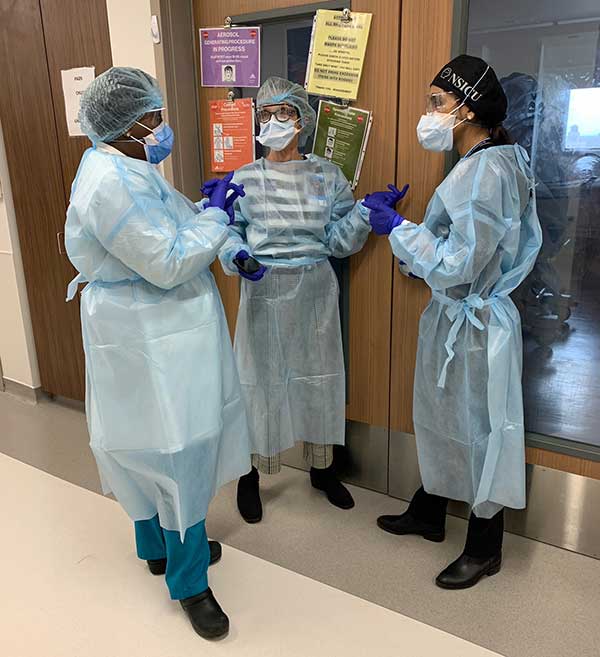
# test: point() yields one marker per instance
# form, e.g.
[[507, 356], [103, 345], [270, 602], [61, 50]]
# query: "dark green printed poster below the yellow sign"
[[341, 137]]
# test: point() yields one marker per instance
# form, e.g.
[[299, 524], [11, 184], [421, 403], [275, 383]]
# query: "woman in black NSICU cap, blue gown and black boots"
[[478, 241]]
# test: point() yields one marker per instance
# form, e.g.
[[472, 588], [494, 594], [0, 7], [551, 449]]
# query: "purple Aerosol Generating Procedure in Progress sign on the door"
[[230, 57]]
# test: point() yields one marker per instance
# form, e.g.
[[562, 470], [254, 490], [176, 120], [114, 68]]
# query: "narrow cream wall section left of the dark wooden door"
[[17, 349]]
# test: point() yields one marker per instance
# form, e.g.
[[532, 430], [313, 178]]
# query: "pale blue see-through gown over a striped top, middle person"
[[288, 341]]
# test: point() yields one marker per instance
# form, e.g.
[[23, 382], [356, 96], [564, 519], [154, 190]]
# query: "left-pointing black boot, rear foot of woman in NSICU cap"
[[425, 516]]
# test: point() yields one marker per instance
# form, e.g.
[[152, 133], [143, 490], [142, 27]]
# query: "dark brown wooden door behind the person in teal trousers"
[[37, 40]]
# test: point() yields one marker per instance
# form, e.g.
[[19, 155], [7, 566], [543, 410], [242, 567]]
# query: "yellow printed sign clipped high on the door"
[[337, 53]]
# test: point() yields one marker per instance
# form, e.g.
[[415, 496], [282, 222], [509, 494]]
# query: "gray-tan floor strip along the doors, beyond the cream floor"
[[544, 603]]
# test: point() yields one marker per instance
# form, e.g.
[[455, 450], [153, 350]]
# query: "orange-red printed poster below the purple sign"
[[232, 133]]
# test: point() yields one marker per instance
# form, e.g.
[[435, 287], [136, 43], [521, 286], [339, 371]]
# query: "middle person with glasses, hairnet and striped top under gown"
[[297, 212]]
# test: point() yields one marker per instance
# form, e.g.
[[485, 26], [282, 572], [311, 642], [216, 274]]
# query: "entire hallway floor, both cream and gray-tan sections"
[[308, 580]]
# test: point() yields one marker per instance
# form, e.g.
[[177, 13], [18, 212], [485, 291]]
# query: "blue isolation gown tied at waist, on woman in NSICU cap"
[[478, 241]]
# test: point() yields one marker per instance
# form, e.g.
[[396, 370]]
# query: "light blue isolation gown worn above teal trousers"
[[163, 401]]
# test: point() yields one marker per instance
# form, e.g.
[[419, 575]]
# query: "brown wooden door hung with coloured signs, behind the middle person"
[[370, 270]]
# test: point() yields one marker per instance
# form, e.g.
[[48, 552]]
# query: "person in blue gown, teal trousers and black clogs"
[[163, 400]]
